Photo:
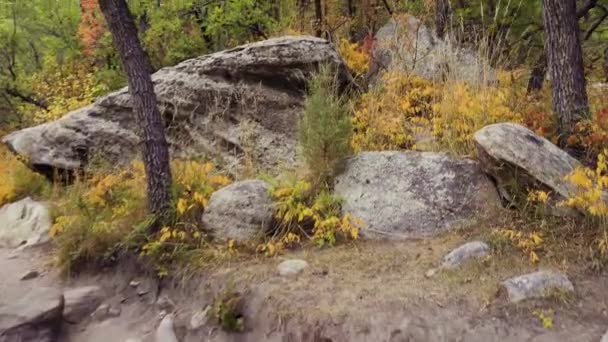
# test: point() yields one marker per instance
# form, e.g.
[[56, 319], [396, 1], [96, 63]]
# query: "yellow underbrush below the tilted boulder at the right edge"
[[581, 237]]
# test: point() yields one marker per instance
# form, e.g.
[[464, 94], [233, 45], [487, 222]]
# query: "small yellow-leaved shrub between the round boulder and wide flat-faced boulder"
[[302, 214]]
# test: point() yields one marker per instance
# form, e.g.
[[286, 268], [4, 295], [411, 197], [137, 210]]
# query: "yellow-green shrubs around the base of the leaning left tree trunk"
[[104, 213]]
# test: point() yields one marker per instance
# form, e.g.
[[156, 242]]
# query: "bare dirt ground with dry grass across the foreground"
[[365, 292]]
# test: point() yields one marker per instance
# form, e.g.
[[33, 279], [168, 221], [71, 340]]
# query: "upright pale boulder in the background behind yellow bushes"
[[406, 44]]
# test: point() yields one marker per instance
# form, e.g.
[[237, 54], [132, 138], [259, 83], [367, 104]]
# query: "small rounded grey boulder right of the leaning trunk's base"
[[239, 211]]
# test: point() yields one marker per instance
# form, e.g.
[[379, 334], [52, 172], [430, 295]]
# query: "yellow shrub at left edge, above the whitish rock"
[[17, 180]]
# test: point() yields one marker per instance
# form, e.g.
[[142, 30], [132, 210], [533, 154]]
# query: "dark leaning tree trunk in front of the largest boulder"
[[137, 67]]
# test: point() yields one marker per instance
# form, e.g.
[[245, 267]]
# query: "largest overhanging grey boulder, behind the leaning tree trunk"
[[209, 104]]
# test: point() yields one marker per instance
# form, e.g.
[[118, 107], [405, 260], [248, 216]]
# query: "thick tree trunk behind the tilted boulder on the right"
[[565, 59]]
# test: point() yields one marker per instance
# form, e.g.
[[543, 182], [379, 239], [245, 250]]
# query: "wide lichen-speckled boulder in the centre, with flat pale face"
[[413, 194]]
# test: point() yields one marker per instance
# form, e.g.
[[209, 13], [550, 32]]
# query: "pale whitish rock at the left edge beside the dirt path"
[[24, 223]]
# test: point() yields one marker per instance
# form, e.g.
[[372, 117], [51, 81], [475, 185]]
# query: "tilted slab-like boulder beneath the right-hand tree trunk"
[[509, 152]]
